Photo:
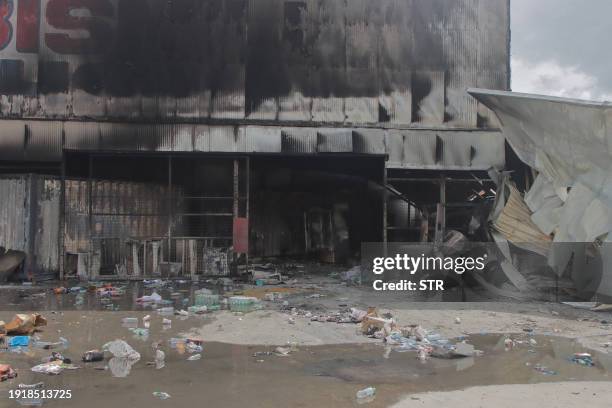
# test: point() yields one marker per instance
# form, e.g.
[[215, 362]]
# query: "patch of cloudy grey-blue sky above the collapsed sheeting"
[[562, 48]]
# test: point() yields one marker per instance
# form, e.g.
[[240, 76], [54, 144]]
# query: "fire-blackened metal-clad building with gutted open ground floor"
[[141, 136]]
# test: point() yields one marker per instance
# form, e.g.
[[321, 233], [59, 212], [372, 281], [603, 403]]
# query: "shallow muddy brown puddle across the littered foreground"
[[232, 376]]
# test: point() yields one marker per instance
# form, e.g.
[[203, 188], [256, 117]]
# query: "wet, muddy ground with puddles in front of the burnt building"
[[328, 362]]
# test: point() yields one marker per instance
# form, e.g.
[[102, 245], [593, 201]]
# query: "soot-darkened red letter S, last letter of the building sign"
[[100, 33]]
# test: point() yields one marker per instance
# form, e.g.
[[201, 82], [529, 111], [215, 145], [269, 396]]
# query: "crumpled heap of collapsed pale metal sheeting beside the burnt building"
[[566, 213]]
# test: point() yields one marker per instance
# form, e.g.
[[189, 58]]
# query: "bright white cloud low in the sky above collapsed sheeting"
[[552, 78]]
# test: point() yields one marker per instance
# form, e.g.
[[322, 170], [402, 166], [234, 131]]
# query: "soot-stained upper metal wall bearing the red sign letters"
[[405, 62]]
